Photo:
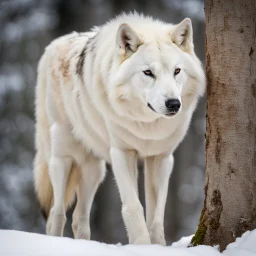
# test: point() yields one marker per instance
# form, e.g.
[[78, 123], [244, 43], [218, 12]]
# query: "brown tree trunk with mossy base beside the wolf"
[[230, 187]]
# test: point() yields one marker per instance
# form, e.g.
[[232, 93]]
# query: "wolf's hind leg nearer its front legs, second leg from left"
[[92, 174]]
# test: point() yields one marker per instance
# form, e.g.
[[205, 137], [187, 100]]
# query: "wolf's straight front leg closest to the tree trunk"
[[157, 174]]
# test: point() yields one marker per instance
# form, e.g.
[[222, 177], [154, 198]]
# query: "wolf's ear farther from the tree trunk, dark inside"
[[127, 40]]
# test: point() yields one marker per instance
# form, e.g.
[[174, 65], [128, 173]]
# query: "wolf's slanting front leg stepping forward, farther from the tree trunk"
[[124, 164]]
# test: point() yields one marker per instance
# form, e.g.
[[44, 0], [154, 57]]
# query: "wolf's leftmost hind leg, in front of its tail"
[[60, 165]]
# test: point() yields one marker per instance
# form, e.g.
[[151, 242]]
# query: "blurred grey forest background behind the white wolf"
[[26, 27]]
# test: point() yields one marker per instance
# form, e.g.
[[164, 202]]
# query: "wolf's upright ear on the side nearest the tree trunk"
[[182, 35]]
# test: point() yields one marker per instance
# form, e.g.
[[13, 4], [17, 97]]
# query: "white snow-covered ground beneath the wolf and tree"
[[19, 243]]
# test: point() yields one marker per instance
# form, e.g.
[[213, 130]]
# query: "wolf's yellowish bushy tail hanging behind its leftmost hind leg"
[[44, 188]]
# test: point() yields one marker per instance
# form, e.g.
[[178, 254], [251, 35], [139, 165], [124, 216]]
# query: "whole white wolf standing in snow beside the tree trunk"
[[125, 90]]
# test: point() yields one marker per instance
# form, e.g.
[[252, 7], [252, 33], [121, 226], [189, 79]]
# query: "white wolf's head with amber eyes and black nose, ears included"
[[156, 73]]
